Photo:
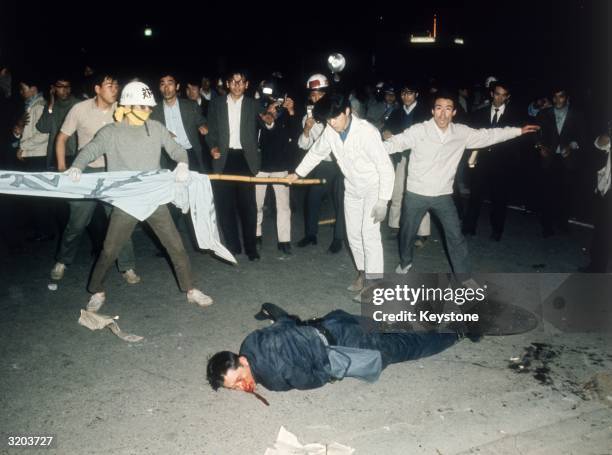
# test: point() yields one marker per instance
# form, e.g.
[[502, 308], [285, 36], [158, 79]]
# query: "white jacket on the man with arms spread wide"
[[435, 155]]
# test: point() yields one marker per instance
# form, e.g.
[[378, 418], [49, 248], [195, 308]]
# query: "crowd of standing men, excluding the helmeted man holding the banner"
[[386, 146]]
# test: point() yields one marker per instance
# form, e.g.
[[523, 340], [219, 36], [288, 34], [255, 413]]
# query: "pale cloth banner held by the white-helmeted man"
[[137, 193]]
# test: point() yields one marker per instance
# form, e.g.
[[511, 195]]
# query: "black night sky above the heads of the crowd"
[[532, 44]]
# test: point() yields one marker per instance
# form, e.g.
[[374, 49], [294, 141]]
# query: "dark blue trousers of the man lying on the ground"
[[394, 347]]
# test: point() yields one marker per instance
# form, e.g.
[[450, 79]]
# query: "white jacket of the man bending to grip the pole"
[[362, 159]]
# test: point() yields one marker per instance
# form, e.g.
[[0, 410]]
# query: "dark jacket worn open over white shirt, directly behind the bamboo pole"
[[218, 132]]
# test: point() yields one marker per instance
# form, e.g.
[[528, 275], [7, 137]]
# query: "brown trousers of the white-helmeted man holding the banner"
[[120, 228]]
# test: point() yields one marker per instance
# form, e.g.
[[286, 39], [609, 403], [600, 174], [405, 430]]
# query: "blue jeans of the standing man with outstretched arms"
[[414, 207]]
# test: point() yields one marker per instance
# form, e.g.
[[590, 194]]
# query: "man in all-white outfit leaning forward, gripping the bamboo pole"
[[368, 179]]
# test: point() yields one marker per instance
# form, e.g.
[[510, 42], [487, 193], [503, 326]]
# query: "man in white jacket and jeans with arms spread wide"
[[437, 146]]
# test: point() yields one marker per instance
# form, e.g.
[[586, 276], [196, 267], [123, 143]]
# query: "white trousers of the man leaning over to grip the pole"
[[363, 234]]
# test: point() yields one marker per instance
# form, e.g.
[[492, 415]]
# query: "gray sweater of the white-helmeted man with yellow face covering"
[[131, 148]]
